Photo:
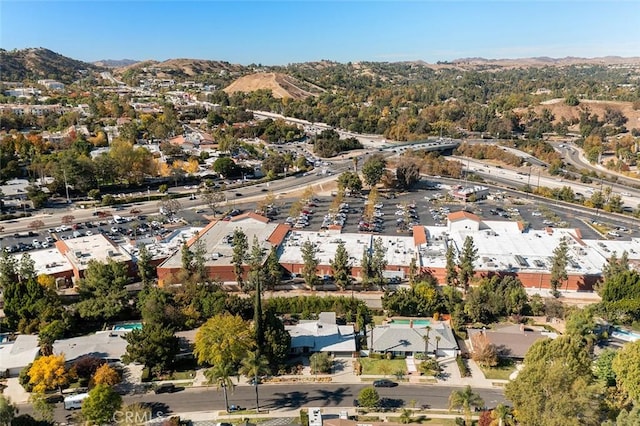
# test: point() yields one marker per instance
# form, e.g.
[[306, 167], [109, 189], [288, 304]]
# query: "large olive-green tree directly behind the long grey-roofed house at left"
[[102, 291]]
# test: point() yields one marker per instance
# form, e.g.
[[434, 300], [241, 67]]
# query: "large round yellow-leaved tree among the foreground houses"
[[223, 338]]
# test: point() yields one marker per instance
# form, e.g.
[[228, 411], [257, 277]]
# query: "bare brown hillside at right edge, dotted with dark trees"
[[560, 109]]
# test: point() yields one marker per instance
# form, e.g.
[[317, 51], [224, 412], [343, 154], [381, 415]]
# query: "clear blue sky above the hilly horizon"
[[274, 32]]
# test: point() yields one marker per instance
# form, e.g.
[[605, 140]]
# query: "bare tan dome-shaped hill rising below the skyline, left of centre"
[[281, 85]]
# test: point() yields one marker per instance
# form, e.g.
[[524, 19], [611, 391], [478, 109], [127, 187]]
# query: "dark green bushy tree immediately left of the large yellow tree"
[[154, 345]]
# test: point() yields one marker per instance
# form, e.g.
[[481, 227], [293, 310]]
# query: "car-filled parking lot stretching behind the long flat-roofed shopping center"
[[427, 205]]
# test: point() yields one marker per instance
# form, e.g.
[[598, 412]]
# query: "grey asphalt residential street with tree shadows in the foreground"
[[290, 397]]
